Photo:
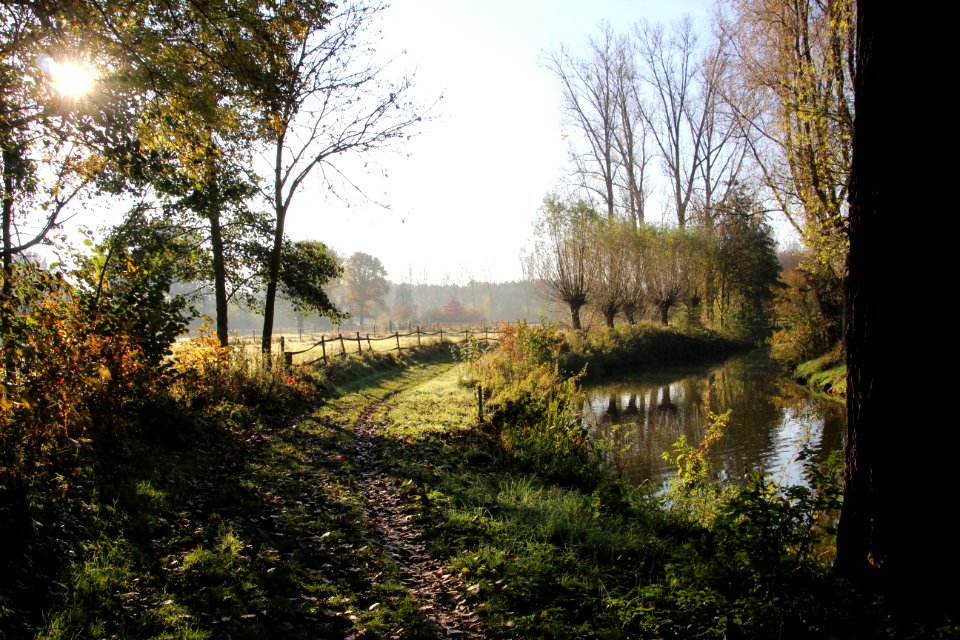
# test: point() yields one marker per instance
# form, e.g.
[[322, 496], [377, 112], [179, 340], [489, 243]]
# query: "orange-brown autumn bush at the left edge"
[[72, 375]]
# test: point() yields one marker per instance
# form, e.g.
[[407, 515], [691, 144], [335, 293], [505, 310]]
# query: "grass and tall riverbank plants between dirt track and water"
[[561, 551]]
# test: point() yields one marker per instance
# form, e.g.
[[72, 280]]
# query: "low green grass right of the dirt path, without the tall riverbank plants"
[[550, 559]]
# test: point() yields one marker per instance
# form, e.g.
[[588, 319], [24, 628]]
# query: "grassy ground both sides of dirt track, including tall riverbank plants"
[[241, 515]]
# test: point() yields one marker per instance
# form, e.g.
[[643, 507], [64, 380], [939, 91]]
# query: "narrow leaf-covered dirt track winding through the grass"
[[442, 594]]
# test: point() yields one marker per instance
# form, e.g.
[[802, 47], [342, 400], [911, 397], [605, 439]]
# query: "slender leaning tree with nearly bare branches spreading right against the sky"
[[322, 96]]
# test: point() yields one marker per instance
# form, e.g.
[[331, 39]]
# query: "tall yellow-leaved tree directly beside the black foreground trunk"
[[792, 95]]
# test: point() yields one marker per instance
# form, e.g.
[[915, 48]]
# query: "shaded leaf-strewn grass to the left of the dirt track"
[[244, 520]]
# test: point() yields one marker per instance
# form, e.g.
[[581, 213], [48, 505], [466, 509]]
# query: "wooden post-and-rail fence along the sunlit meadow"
[[340, 345]]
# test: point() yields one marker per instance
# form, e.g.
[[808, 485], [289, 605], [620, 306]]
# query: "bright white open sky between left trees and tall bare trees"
[[464, 192]]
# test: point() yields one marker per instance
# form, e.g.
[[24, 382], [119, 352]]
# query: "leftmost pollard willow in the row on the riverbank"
[[559, 260]]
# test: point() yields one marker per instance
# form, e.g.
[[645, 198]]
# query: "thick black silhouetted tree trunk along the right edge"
[[896, 532]]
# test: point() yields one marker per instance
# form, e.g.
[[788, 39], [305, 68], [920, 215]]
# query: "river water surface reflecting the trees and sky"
[[643, 414]]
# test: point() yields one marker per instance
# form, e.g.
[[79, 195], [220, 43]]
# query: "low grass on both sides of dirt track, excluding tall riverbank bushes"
[[252, 525]]
